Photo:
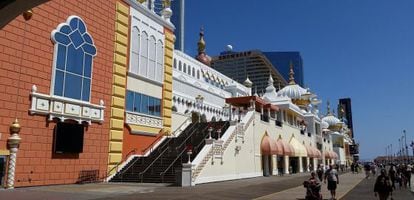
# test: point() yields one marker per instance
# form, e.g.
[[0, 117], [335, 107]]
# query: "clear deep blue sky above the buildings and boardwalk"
[[362, 49]]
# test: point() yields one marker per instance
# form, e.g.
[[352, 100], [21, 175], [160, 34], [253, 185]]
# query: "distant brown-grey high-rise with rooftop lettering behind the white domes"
[[254, 64]]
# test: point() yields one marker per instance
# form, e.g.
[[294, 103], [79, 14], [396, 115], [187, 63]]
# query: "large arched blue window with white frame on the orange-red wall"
[[74, 52]]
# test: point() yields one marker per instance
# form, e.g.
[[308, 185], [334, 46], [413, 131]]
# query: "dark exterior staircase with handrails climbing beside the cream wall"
[[161, 164]]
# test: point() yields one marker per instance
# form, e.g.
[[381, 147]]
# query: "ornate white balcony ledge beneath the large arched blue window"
[[64, 108]]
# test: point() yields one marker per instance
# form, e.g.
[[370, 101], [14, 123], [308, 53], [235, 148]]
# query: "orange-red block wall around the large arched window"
[[26, 55]]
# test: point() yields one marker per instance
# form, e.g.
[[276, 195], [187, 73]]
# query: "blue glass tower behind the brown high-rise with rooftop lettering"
[[282, 60]]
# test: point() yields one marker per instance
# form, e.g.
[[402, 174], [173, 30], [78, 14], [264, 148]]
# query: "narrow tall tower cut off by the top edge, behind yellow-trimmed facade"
[[178, 18]]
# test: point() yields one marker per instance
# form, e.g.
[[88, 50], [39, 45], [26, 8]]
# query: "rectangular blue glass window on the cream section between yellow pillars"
[[141, 103]]
